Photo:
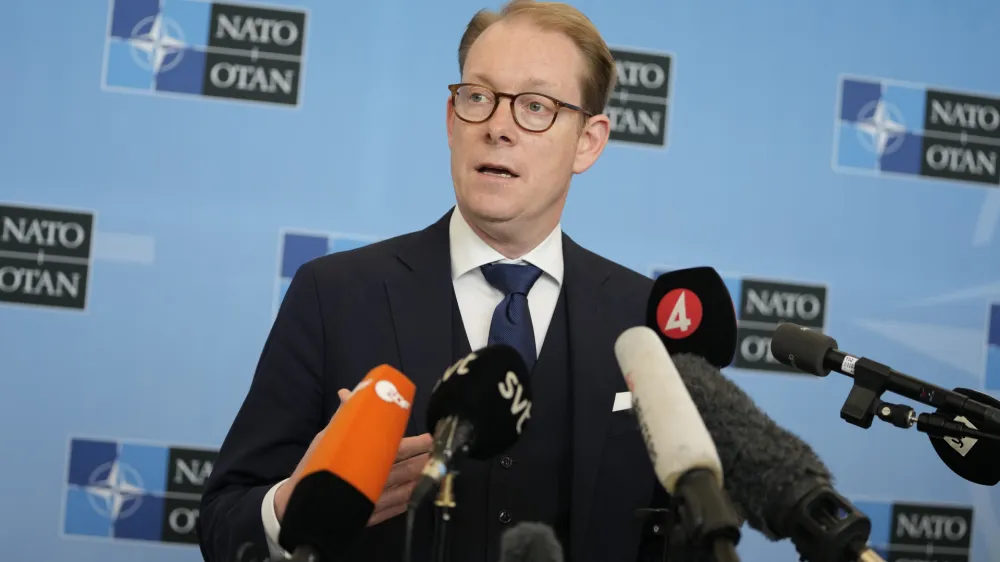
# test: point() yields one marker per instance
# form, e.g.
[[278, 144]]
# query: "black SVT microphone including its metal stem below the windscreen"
[[478, 409]]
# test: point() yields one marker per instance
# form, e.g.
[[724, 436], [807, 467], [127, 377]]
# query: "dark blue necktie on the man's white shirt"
[[511, 319]]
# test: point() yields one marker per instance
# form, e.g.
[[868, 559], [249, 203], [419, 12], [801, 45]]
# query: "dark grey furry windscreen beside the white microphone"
[[760, 459]]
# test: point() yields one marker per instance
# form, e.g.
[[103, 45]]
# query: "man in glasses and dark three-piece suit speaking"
[[526, 117]]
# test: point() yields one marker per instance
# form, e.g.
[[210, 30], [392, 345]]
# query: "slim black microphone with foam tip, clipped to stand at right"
[[816, 353]]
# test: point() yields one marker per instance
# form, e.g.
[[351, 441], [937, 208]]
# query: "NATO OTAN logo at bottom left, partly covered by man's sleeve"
[[134, 491]]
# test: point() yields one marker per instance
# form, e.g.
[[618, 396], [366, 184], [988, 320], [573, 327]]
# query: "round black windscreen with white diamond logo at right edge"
[[973, 459]]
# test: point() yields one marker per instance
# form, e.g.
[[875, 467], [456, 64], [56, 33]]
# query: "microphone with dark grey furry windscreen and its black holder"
[[783, 488]]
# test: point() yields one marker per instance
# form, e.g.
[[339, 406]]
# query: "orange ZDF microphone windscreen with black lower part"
[[346, 473]]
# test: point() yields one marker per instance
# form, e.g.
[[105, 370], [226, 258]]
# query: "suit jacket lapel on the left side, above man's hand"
[[420, 300]]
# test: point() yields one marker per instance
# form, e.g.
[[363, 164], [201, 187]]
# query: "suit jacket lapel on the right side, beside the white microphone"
[[594, 380]]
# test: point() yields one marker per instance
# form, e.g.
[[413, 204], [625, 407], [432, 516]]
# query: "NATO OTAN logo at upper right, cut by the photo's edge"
[[892, 128]]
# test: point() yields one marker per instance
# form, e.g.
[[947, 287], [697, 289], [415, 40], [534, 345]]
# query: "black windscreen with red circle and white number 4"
[[693, 312]]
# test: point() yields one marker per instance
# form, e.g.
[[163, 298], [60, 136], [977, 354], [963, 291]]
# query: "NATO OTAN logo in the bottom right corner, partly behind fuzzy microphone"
[[911, 531]]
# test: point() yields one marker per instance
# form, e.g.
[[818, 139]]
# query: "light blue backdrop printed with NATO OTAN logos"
[[147, 224]]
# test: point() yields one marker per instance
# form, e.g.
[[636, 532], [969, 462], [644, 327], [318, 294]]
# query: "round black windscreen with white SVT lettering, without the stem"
[[489, 389]]
